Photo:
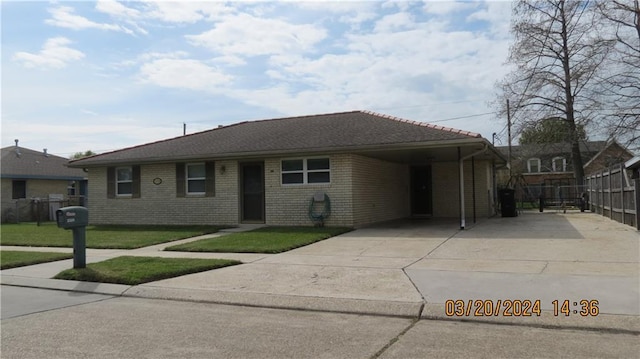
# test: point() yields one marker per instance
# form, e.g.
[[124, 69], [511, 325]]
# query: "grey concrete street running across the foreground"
[[126, 327]]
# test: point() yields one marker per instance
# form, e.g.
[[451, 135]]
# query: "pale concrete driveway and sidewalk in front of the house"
[[412, 268]]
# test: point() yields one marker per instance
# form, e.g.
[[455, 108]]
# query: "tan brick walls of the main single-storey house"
[[362, 191]]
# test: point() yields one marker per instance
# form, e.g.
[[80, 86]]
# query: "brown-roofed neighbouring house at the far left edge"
[[30, 177]]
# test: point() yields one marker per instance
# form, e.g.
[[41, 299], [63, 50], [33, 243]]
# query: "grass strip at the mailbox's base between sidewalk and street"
[[137, 270]]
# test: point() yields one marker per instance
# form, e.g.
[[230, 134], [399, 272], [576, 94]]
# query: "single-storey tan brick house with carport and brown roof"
[[371, 167]]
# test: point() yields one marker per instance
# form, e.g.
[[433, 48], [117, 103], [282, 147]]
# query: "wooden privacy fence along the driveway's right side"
[[613, 194]]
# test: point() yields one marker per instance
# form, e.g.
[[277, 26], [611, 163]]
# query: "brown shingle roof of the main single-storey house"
[[343, 131]]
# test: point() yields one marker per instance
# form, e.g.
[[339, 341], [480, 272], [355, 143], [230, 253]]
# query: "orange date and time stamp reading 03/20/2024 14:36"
[[519, 308]]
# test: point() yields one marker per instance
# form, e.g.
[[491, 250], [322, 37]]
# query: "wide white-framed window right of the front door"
[[306, 171]]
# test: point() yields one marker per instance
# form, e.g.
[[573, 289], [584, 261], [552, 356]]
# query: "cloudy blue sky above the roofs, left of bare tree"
[[105, 75]]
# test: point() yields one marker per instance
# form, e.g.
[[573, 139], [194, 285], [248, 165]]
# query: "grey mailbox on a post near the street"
[[75, 218]]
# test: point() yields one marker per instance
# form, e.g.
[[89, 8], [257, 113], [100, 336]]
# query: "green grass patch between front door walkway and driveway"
[[262, 240]]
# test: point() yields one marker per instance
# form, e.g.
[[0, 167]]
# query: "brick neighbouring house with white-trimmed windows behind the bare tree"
[[550, 166]]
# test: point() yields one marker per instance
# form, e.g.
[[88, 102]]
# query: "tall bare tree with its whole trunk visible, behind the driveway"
[[556, 55]]
